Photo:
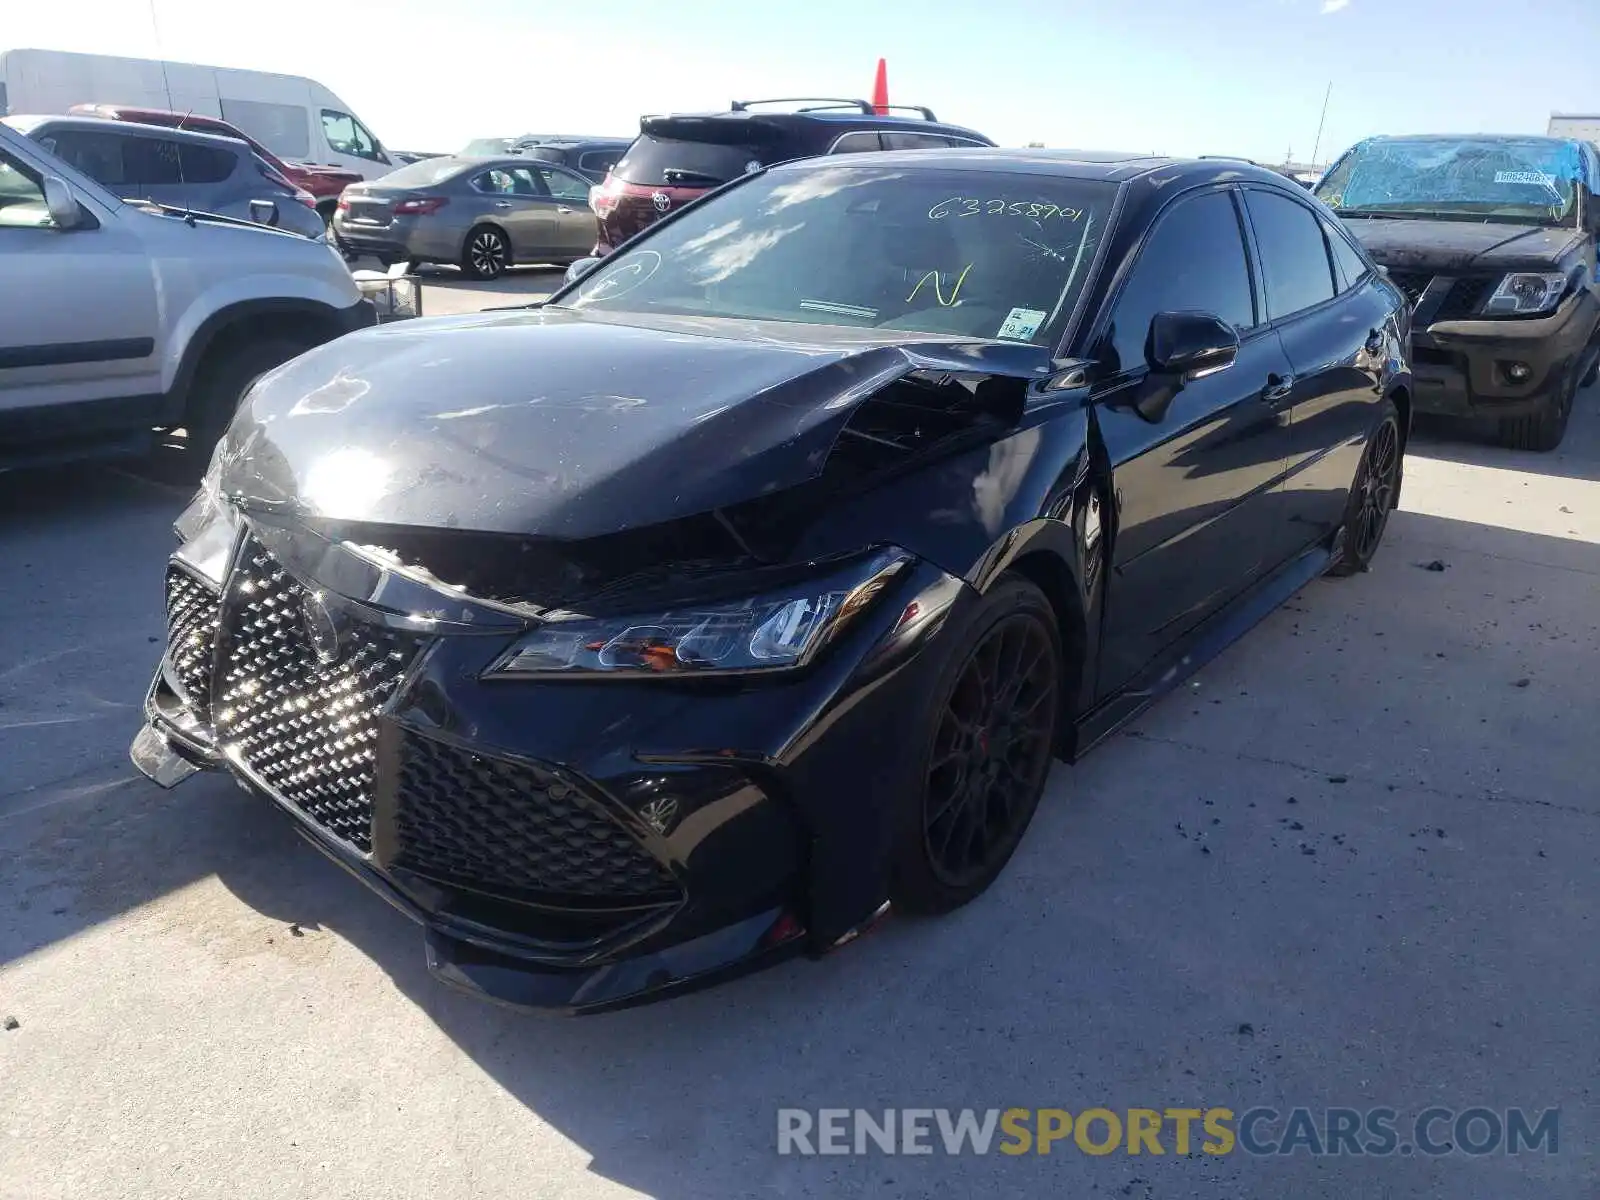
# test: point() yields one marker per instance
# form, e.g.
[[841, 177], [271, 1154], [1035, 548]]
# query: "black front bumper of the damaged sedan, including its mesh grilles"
[[569, 847]]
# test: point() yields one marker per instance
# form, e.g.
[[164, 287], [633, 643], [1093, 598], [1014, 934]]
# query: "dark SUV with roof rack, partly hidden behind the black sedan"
[[681, 158]]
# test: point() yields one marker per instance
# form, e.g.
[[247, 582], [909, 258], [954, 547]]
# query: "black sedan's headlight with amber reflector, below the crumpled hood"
[[774, 631]]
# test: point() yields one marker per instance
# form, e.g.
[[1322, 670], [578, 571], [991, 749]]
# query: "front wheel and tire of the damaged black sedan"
[[985, 753]]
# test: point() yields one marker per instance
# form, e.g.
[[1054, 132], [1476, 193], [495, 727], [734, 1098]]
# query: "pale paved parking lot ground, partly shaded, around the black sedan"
[[1353, 865]]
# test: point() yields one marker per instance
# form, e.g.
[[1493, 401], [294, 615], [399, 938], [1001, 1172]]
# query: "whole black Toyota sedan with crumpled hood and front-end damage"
[[745, 591]]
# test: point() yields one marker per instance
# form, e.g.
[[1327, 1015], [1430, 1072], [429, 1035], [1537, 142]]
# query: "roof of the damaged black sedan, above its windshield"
[[1108, 166]]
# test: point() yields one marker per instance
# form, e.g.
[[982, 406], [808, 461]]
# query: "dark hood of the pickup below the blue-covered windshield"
[[1462, 246]]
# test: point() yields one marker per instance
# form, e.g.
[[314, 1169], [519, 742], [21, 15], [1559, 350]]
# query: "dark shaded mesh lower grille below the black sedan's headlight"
[[513, 830]]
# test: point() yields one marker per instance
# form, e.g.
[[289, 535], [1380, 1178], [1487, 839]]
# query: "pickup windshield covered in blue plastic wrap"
[[1526, 180]]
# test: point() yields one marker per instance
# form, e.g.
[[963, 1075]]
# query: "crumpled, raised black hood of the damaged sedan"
[[556, 423]]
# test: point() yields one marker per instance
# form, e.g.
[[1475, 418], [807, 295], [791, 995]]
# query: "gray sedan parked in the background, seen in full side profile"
[[482, 215]]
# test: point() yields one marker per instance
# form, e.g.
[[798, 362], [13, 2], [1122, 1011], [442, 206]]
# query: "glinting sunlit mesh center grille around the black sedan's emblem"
[[308, 727]]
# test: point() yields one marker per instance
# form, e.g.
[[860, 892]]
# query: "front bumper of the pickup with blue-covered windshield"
[[1462, 367]]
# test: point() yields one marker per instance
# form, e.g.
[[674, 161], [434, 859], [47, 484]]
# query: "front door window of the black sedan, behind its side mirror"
[[1193, 262]]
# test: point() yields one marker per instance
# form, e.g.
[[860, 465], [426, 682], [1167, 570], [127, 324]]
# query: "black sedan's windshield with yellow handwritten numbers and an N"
[[962, 254]]
